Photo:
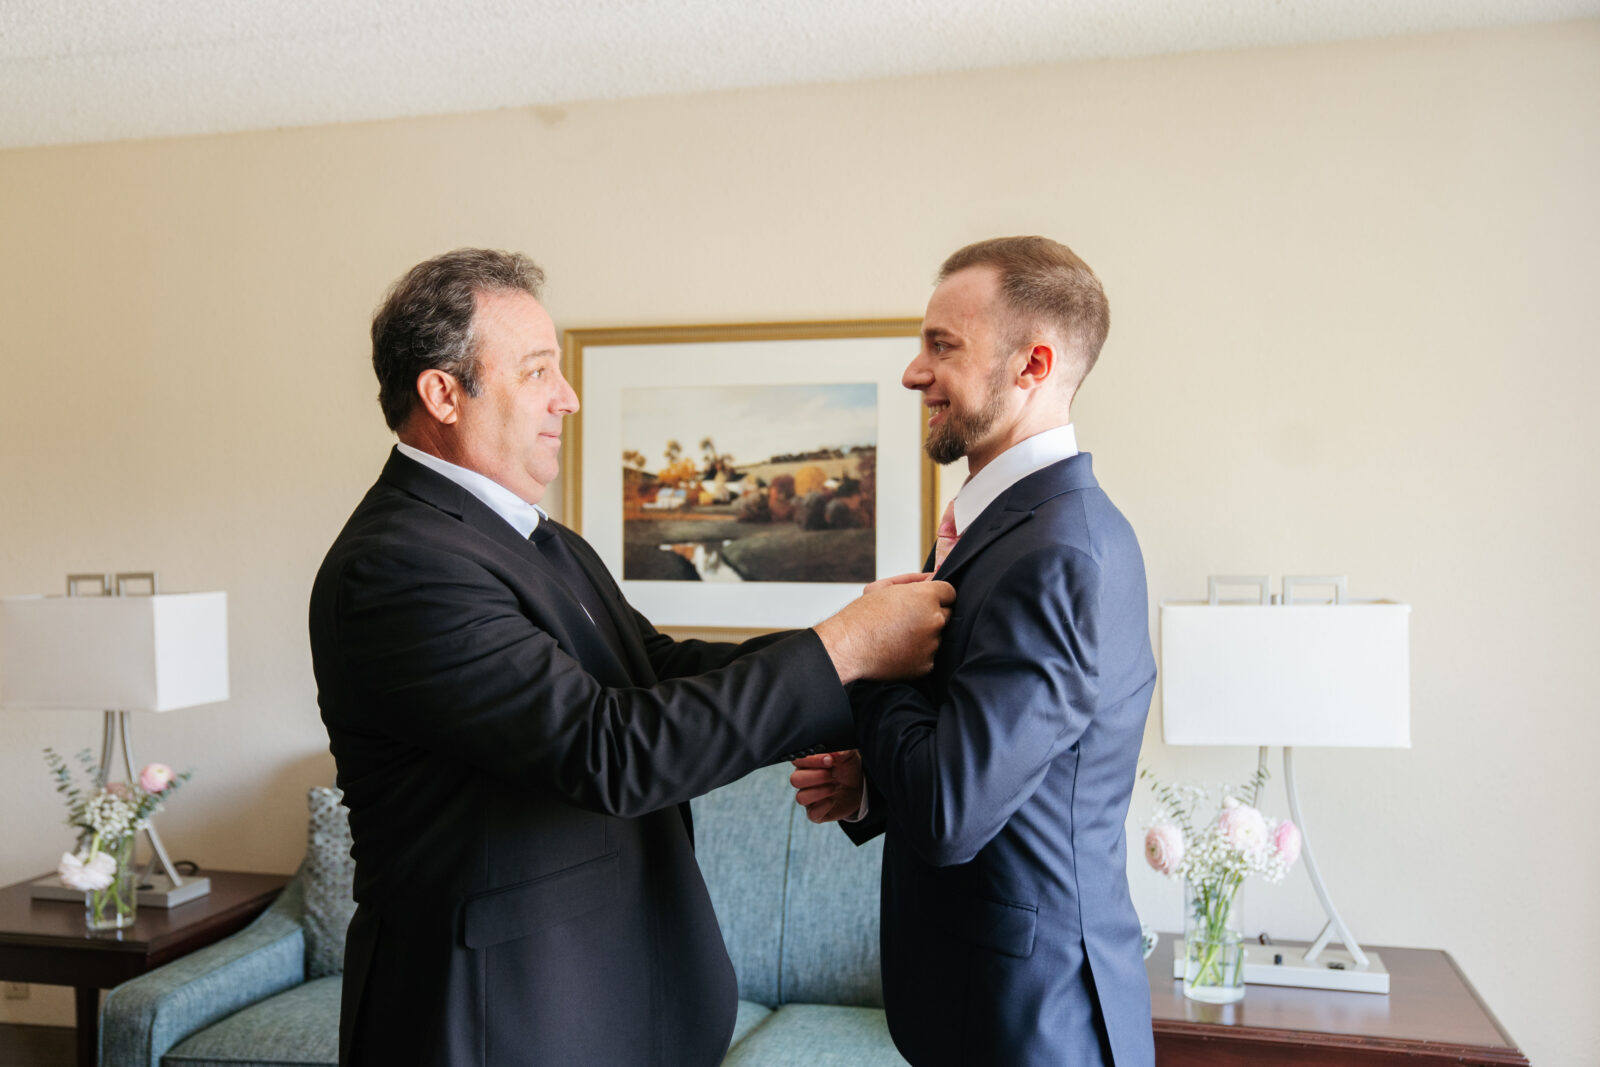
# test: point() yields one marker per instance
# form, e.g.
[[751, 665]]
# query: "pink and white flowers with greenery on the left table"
[[106, 817]]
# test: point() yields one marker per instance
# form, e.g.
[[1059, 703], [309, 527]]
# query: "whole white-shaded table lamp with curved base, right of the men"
[[1292, 674]]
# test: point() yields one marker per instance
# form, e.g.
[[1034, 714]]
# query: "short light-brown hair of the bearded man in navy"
[[1044, 284]]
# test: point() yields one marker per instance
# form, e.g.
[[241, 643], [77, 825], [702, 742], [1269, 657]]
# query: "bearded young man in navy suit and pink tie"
[[1002, 778]]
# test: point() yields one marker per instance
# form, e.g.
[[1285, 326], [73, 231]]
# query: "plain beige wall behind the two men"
[[1356, 327]]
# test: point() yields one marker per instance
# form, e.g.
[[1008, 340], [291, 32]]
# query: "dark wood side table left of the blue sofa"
[[47, 943]]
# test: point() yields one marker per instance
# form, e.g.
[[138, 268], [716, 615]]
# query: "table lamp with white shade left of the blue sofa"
[[118, 655]]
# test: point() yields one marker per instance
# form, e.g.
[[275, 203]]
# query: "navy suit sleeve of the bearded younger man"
[[956, 769]]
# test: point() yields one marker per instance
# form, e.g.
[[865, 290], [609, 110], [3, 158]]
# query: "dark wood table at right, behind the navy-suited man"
[[1430, 1017]]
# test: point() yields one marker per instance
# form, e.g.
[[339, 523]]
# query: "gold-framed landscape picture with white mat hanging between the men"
[[748, 478]]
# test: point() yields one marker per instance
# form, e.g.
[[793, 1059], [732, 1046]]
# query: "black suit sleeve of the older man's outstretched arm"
[[439, 655]]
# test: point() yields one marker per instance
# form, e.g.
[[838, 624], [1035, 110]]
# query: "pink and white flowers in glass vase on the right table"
[[1215, 857]]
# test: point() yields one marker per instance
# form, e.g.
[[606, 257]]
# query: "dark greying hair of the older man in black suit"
[[426, 322]]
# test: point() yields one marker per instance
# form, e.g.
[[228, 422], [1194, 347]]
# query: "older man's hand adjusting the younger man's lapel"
[[889, 633]]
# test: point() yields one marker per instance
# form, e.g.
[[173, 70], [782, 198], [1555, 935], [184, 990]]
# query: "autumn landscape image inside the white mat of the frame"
[[750, 484]]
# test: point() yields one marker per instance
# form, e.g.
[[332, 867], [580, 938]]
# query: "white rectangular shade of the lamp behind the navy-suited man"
[[1330, 676]]
